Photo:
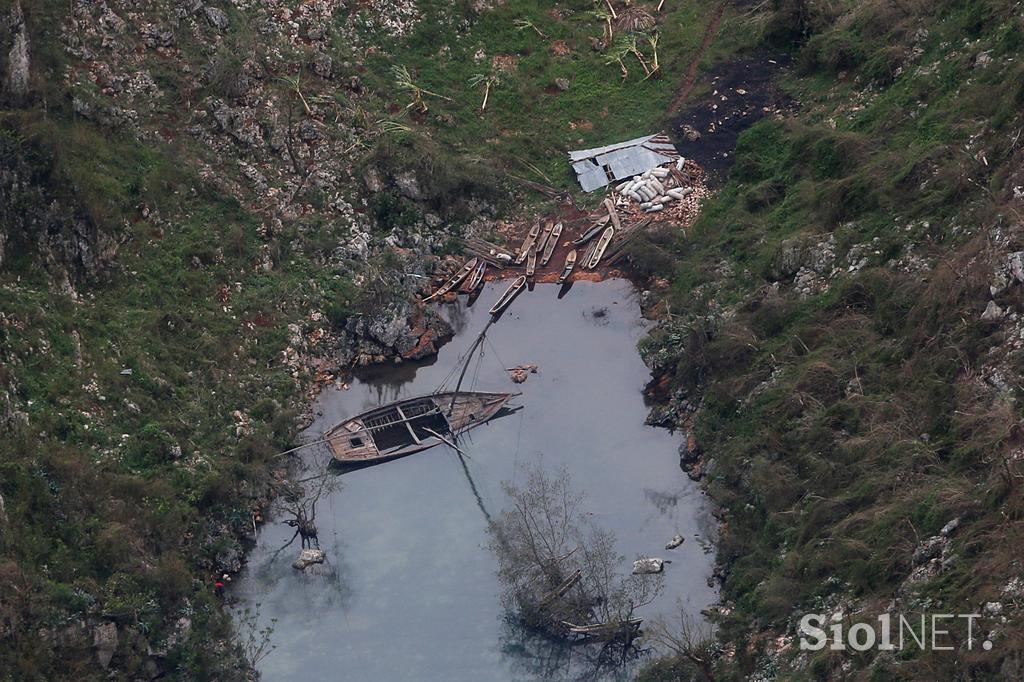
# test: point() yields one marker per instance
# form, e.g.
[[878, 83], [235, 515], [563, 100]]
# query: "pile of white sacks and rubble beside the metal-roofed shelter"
[[675, 190]]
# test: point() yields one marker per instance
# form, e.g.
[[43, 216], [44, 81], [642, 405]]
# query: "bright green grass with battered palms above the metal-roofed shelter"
[[530, 123]]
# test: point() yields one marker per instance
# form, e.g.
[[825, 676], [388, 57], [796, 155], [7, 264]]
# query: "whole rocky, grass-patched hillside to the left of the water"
[[188, 244]]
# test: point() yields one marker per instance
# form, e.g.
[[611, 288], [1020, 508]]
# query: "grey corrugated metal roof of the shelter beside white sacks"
[[621, 161]]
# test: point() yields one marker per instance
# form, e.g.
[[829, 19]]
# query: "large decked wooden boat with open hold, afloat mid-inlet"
[[411, 427]]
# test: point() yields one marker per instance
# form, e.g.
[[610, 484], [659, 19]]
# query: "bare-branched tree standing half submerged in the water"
[[563, 575]]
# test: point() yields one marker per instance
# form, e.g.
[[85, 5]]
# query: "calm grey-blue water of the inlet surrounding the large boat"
[[410, 590]]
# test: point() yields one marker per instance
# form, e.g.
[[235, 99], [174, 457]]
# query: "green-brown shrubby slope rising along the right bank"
[[873, 430]]
